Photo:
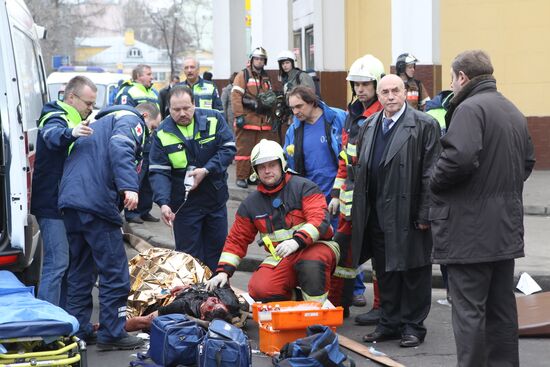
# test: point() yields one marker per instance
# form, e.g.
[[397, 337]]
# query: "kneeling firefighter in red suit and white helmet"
[[290, 212]]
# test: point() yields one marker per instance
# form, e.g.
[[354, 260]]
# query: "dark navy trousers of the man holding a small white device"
[[201, 233]]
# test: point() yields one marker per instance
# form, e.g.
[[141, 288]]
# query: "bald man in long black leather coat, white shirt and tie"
[[396, 151]]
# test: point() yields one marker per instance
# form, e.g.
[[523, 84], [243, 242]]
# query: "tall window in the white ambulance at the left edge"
[[28, 77]]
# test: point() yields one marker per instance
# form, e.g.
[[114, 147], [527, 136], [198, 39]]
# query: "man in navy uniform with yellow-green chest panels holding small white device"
[[198, 143]]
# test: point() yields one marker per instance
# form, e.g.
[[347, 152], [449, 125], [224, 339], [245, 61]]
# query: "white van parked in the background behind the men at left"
[[106, 82]]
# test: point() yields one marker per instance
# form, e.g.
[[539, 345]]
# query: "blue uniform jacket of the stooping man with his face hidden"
[[102, 166]]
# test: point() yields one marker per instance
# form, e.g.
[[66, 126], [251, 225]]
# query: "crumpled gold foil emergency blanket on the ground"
[[157, 270]]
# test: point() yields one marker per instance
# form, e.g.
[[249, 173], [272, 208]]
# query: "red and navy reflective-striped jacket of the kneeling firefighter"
[[301, 215]]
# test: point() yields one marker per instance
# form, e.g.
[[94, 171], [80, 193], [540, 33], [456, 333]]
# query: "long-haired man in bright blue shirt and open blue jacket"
[[314, 139]]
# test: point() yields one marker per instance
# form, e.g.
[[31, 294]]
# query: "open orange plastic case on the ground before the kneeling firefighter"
[[278, 326]]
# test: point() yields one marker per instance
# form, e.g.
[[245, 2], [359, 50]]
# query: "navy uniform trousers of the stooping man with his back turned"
[[96, 245]]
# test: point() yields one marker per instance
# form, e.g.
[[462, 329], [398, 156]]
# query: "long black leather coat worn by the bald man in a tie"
[[403, 193]]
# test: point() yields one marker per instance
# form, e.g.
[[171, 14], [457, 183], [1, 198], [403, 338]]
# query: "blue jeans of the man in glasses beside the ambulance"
[[55, 261]]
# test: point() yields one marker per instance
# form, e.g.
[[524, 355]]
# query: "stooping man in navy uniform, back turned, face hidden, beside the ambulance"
[[100, 176]]
